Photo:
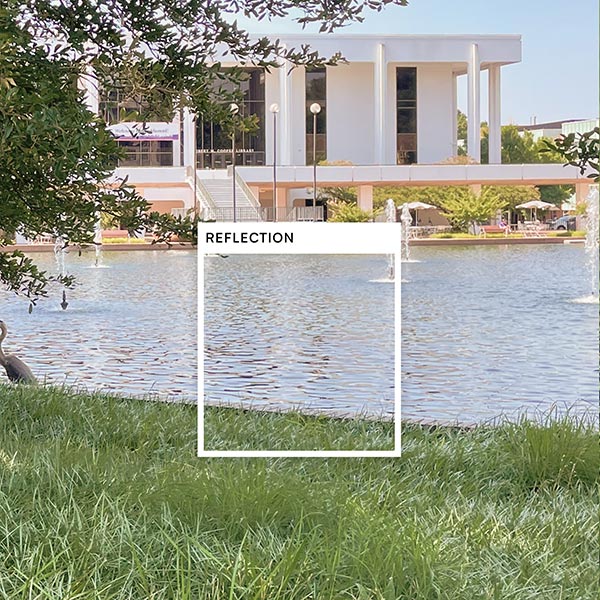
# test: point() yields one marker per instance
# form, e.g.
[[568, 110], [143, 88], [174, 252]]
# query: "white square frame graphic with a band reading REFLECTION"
[[316, 228]]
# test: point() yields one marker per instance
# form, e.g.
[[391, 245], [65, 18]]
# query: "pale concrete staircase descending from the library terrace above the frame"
[[218, 187]]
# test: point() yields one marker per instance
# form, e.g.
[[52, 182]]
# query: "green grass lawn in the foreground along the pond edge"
[[103, 498]]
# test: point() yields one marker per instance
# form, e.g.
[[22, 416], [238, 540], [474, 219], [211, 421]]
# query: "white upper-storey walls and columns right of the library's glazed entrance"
[[394, 102]]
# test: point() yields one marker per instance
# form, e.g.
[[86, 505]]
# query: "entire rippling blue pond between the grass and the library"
[[486, 330]]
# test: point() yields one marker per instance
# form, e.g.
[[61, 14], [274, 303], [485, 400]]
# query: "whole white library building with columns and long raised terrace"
[[387, 116]]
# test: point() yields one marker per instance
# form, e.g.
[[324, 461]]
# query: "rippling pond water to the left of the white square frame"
[[130, 327]]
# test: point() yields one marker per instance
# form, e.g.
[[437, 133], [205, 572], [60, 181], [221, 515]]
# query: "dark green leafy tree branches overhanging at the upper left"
[[57, 157]]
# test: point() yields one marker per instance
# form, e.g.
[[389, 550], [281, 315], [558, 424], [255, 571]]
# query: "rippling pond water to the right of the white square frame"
[[489, 330]]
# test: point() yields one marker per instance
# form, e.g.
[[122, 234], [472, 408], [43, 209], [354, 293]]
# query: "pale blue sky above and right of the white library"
[[557, 77]]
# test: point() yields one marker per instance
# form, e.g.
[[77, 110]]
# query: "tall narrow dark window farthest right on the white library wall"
[[406, 115]]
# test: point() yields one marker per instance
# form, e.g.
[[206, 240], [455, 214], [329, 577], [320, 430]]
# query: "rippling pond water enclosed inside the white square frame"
[[307, 331]]
